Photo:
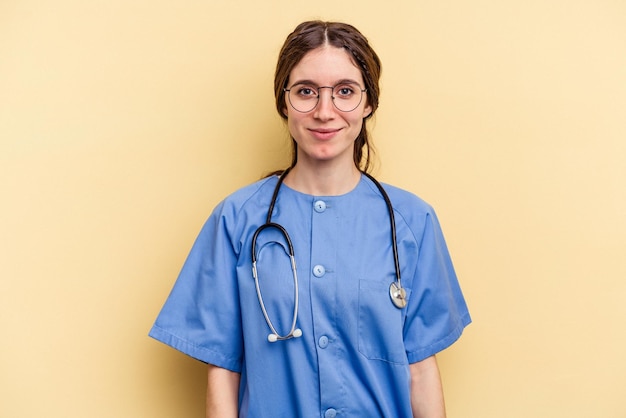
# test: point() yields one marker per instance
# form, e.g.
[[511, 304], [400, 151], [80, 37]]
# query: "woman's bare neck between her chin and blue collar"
[[323, 181]]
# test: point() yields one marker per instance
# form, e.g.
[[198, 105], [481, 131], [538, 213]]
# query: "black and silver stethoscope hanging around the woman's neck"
[[396, 291]]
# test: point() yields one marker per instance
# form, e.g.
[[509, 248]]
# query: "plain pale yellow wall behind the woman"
[[122, 123]]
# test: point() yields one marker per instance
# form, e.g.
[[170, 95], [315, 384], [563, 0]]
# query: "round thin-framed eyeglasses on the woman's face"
[[345, 96]]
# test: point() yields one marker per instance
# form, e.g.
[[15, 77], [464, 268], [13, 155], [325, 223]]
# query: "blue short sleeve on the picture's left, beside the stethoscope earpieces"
[[201, 316]]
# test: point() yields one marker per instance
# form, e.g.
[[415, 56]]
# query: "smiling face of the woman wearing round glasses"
[[325, 134]]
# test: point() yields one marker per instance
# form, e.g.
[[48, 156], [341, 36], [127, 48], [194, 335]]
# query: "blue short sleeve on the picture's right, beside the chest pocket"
[[437, 312]]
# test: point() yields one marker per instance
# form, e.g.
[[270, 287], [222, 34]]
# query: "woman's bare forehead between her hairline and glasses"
[[326, 65]]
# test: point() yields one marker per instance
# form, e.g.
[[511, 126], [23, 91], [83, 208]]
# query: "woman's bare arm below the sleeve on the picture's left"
[[222, 394]]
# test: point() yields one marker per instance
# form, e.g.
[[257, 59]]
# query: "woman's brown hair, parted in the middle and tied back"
[[313, 34]]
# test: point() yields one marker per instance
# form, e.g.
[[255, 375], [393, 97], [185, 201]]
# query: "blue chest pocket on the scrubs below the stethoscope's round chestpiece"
[[380, 323]]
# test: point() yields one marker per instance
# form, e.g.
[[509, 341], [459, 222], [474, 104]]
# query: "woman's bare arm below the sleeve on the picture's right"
[[426, 390]]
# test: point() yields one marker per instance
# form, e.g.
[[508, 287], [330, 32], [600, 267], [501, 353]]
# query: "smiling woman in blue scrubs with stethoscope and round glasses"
[[321, 337]]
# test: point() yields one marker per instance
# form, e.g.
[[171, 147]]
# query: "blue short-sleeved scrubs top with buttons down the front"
[[352, 359]]
